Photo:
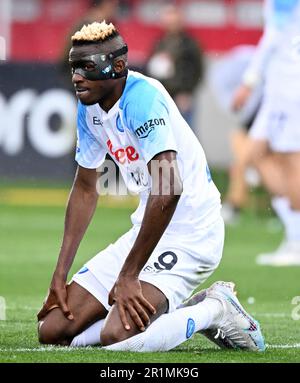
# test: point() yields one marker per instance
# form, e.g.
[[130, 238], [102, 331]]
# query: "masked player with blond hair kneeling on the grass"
[[125, 298]]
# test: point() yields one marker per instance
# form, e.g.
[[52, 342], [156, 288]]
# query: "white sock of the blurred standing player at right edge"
[[289, 217]]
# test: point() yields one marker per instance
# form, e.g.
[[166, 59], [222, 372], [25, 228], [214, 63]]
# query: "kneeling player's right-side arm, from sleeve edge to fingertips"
[[161, 205]]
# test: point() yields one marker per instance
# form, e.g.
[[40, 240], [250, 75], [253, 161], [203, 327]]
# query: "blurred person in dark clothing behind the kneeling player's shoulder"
[[177, 61]]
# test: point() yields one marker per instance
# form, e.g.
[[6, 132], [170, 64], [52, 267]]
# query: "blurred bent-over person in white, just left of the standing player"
[[224, 78]]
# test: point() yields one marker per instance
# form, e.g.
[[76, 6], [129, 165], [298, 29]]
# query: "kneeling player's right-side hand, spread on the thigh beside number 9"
[[127, 295]]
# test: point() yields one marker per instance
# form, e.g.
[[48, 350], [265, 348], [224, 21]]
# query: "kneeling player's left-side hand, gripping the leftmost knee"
[[57, 297]]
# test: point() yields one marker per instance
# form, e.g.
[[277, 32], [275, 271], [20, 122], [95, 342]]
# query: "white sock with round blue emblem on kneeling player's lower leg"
[[170, 330]]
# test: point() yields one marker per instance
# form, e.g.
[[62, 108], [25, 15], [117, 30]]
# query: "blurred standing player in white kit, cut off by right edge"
[[275, 134]]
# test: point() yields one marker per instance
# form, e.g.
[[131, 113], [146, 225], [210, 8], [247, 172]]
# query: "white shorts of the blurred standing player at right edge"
[[278, 122]]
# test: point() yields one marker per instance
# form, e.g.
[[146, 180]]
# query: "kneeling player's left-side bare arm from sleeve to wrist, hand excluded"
[[80, 209]]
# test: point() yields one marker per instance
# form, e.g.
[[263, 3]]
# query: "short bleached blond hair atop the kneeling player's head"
[[95, 32]]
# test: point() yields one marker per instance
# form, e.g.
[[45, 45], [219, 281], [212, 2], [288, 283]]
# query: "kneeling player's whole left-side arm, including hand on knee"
[[80, 209]]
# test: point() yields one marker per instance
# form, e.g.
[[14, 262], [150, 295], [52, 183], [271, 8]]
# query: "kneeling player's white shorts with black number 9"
[[177, 266]]
